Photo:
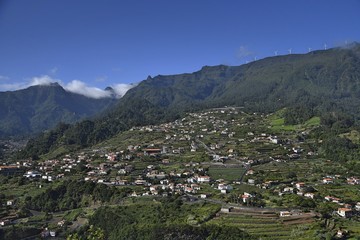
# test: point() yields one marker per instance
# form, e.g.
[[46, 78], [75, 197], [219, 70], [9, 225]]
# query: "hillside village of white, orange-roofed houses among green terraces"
[[249, 164]]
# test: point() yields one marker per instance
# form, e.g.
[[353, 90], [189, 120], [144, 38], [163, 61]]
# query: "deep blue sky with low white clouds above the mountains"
[[91, 44]]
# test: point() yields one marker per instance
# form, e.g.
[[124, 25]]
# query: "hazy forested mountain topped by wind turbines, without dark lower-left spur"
[[317, 77]]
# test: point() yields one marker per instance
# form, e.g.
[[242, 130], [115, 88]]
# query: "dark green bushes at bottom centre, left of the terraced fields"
[[161, 220]]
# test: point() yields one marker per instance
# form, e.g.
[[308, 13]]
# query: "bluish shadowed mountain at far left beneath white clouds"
[[38, 108]]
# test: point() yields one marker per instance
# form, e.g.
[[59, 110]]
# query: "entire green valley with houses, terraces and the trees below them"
[[224, 166]]
